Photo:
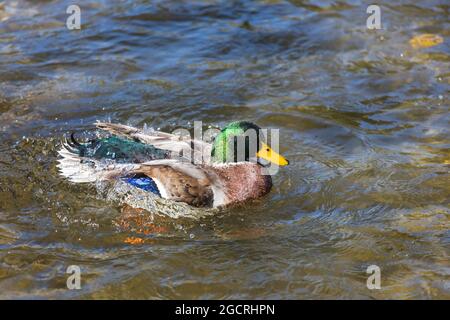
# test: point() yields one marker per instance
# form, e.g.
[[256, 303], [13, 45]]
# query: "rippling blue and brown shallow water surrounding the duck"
[[364, 120]]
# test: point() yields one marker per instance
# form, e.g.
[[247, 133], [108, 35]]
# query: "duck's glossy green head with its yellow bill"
[[241, 141]]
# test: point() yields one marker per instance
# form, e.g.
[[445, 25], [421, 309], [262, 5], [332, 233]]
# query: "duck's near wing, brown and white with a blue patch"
[[171, 179]]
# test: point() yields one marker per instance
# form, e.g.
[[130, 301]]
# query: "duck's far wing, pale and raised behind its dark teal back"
[[183, 146]]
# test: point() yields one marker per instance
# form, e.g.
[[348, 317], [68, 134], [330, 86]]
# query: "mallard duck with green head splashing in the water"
[[151, 161]]
